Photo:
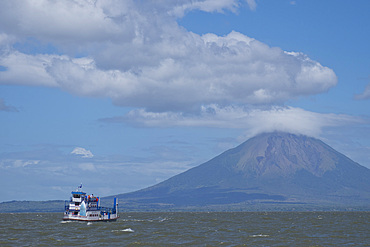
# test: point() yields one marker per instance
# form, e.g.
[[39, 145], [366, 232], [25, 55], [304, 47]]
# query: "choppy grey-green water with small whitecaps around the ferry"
[[190, 229]]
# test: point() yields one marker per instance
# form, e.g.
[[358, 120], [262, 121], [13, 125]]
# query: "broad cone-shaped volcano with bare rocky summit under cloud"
[[269, 169]]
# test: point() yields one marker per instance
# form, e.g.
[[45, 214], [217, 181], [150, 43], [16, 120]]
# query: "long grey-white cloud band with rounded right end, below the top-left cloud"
[[230, 69]]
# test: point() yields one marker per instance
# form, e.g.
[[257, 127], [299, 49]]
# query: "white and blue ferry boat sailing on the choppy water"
[[82, 207]]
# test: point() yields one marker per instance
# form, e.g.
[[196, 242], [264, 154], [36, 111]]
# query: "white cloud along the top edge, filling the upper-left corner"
[[80, 22]]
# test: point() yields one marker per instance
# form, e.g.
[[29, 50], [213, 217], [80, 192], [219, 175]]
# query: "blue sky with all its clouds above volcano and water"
[[121, 95]]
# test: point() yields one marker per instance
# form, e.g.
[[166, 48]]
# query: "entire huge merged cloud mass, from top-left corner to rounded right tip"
[[140, 57]]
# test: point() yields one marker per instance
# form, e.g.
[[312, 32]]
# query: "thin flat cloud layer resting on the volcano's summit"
[[252, 120]]
